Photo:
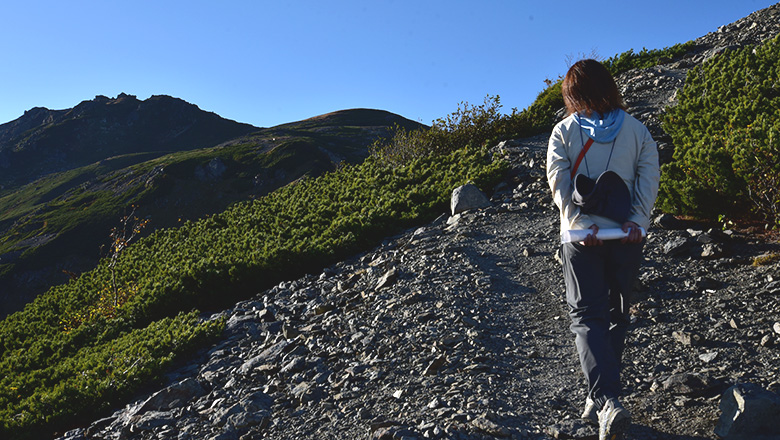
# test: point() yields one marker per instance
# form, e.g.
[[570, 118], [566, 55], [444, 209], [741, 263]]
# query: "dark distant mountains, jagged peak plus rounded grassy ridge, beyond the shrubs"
[[56, 224]]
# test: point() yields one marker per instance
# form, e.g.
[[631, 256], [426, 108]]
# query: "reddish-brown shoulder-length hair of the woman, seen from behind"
[[588, 86]]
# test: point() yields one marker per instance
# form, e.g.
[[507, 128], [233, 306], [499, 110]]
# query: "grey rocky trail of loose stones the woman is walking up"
[[459, 329]]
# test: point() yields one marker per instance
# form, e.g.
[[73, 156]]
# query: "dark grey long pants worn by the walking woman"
[[599, 281]]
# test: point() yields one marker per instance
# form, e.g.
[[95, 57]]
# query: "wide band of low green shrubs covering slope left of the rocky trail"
[[84, 346]]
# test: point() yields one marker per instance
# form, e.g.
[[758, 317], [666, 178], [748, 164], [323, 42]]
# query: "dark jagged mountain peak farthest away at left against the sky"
[[44, 141]]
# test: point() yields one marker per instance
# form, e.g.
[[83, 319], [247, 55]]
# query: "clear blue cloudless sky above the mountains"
[[271, 62]]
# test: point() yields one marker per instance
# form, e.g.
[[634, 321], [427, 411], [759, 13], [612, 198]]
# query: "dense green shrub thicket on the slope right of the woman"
[[725, 129]]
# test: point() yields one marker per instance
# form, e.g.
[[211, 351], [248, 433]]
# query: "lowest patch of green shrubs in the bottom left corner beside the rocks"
[[42, 395]]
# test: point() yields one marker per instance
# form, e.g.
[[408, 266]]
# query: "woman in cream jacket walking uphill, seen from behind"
[[599, 275]]
